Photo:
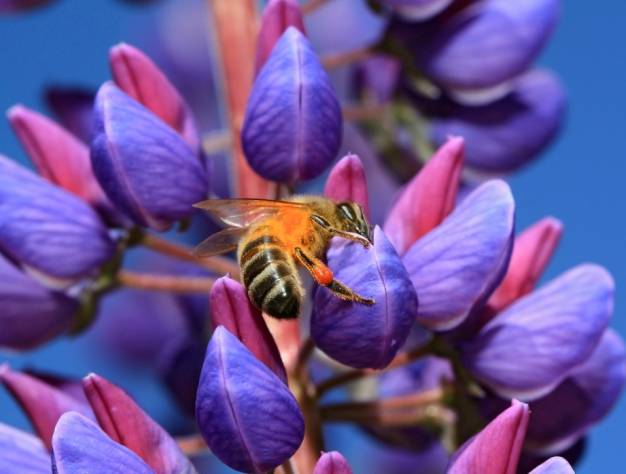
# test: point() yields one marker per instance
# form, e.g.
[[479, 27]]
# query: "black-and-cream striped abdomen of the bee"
[[270, 277]]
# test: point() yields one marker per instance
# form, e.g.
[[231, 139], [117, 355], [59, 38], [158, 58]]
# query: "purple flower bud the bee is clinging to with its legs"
[[358, 335]]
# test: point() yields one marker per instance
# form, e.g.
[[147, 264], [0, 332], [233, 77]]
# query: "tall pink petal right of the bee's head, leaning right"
[[428, 198]]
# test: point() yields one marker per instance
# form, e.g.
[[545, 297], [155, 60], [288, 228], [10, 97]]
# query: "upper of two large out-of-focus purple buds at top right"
[[487, 42]]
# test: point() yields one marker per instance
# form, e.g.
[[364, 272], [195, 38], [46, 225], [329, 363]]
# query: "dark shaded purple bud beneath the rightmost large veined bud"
[[580, 401]]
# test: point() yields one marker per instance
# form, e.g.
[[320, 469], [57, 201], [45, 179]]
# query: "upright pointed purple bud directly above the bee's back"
[[292, 129]]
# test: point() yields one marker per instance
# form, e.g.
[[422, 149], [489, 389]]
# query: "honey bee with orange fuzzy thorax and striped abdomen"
[[271, 237]]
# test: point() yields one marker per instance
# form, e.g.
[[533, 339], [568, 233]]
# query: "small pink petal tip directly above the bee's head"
[[346, 182]]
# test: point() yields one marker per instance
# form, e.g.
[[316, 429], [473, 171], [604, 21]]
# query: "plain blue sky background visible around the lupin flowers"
[[580, 179]]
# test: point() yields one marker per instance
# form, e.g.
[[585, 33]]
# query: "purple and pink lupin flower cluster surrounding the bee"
[[459, 352]]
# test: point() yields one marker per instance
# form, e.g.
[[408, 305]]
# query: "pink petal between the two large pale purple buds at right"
[[532, 251]]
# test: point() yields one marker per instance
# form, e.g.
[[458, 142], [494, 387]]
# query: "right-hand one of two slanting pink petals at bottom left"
[[122, 419]]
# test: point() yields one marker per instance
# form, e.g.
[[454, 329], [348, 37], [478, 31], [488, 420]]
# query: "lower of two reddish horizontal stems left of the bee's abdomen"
[[155, 282]]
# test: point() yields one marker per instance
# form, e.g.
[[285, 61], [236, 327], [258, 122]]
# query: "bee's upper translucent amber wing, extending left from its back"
[[243, 212]]
